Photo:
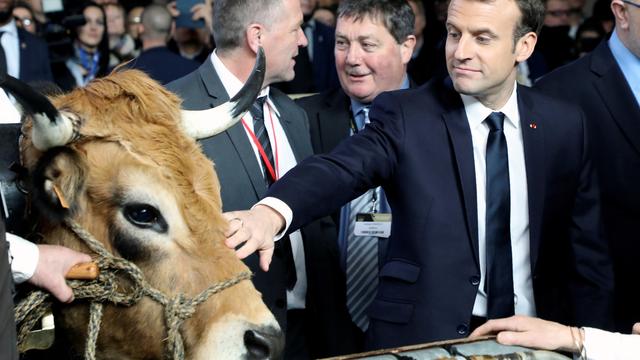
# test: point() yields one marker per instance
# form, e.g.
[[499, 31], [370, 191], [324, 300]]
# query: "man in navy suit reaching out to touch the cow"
[[495, 204]]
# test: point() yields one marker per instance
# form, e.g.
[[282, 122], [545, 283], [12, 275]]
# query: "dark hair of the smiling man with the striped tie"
[[396, 15]]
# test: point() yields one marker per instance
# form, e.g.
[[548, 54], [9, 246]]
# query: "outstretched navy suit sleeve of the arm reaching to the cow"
[[323, 183]]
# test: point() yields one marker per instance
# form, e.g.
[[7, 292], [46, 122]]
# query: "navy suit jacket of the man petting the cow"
[[418, 148]]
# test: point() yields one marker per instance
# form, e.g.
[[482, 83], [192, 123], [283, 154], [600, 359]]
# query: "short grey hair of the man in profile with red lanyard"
[[232, 17]]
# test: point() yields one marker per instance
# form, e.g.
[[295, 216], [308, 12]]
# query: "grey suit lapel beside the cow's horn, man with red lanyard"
[[236, 134]]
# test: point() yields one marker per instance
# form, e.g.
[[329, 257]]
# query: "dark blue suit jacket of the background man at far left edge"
[[34, 58]]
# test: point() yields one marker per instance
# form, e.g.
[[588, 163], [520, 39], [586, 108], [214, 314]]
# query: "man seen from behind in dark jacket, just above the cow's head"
[[156, 59]]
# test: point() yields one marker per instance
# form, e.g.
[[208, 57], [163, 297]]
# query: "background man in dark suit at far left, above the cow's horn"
[[23, 56]]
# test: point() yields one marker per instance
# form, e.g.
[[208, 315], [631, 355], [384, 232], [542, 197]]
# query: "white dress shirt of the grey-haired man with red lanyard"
[[286, 161]]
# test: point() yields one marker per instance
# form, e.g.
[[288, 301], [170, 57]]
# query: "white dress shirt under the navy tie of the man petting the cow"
[[519, 229]]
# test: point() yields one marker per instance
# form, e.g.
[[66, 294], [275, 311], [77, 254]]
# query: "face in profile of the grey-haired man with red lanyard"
[[281, 41]]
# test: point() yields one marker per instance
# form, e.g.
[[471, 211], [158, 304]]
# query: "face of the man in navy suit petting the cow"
[[481, 57]]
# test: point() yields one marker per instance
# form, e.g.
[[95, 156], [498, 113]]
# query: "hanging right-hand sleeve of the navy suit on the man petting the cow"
[[592, 285]]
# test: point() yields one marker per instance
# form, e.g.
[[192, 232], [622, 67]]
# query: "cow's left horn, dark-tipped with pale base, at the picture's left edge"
[[50, 127]]
